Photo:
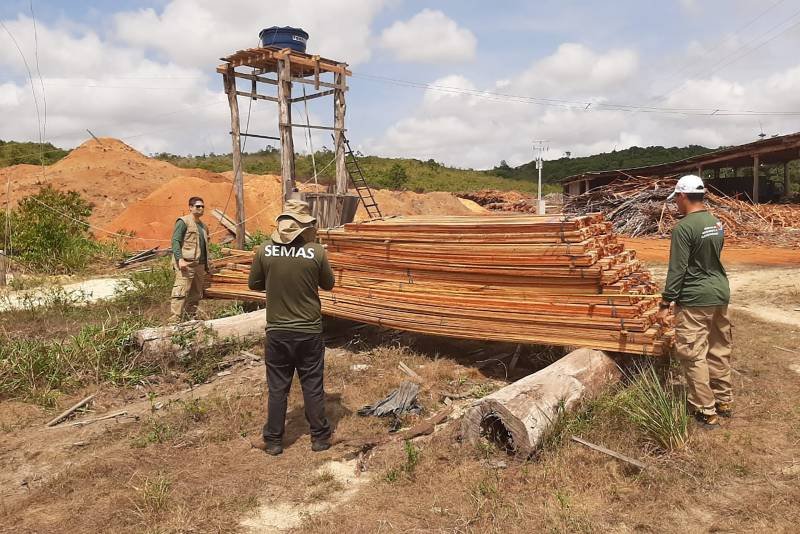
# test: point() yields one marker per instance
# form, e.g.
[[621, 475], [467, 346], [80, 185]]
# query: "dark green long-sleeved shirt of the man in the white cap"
[[696, 276]]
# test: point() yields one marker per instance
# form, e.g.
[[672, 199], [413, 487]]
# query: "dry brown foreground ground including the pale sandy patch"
[[179, 461]]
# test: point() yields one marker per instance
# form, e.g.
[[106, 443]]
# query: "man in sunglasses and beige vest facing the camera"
[[190, 262]]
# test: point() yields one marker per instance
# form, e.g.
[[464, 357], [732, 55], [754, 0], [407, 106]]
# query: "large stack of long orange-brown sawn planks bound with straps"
[[515, 278]]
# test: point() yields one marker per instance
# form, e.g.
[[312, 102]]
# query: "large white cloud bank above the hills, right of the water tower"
[[469, 130]]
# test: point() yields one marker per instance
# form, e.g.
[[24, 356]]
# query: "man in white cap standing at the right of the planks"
[[697, 286]]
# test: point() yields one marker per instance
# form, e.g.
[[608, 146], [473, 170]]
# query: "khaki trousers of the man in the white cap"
[[703, 341]]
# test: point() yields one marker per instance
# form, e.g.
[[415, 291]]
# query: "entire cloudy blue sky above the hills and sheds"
[[144, 72]]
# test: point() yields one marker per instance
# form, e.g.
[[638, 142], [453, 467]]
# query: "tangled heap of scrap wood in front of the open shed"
[[638, 207]]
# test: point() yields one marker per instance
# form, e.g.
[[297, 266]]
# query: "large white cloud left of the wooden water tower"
[[112, 90]]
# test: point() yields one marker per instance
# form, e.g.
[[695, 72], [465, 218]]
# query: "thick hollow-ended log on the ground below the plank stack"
[[519, 416]]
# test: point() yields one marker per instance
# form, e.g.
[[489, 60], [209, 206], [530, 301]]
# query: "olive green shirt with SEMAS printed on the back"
[[291, 275]]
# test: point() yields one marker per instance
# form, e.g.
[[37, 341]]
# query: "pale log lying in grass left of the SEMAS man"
[[191, 335]]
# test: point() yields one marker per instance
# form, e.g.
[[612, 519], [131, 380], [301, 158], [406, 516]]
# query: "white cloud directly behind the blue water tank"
[[198, 32]]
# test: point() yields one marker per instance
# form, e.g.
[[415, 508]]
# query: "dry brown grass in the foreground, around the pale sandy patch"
[[203, 476]]
